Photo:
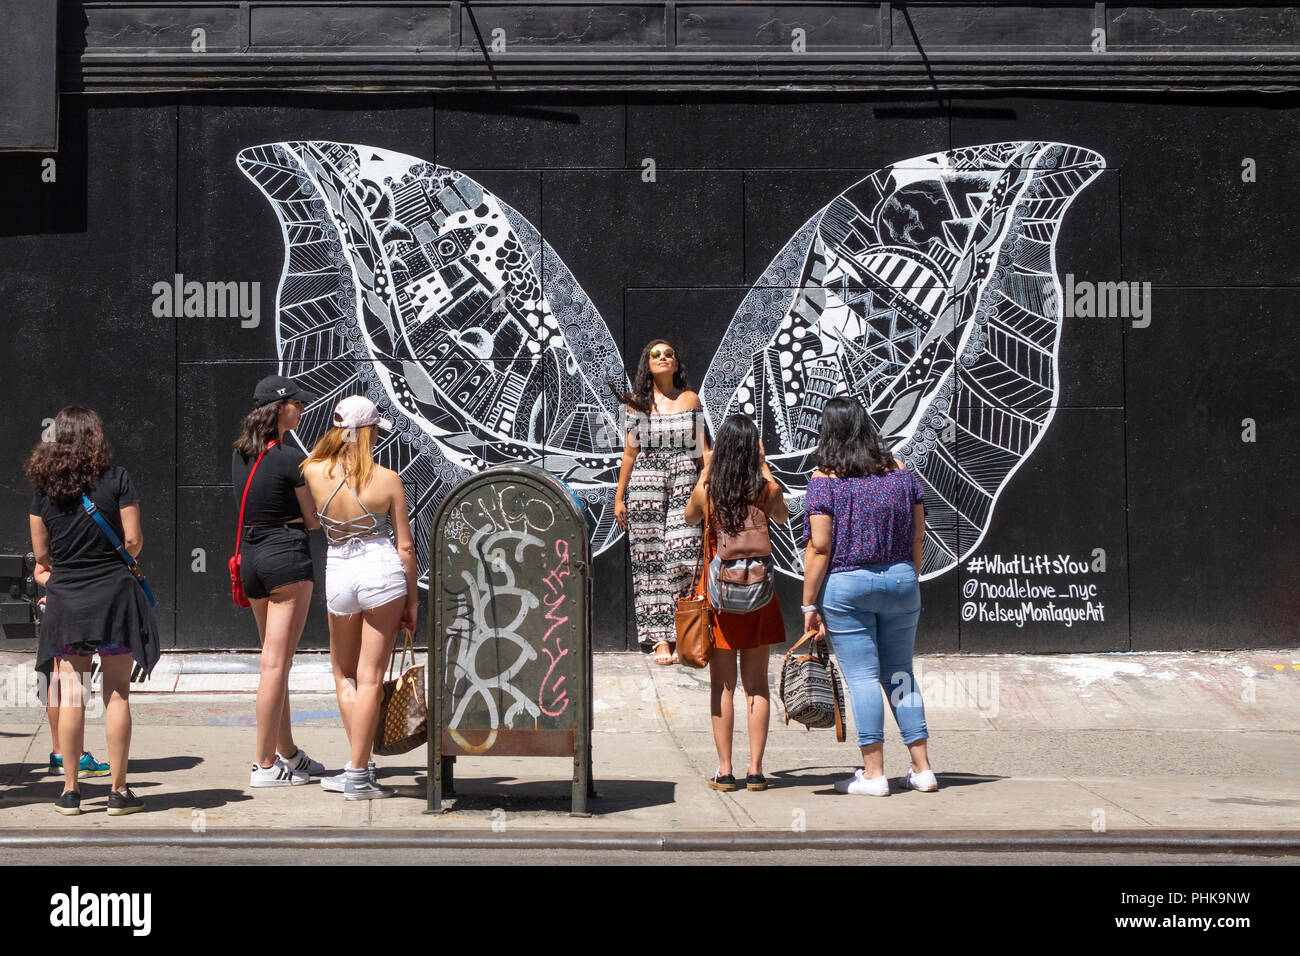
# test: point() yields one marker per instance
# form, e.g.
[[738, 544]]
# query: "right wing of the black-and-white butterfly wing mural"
[[926, 279]]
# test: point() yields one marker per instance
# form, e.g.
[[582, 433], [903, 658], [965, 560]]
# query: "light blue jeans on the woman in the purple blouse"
[[872, 621]]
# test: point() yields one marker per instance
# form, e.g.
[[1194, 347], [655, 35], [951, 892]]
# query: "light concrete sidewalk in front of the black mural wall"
[[1103, 749]]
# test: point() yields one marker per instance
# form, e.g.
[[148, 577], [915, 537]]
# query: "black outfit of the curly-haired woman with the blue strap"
[[92, 596]]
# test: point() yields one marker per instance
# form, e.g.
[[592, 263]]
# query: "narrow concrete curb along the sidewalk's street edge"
[[1264, 842]]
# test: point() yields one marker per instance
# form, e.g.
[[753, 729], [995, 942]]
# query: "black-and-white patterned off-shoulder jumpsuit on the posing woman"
[[662, 546]]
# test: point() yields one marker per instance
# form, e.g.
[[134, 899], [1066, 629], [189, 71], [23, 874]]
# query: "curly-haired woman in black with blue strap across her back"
[[94, 604]]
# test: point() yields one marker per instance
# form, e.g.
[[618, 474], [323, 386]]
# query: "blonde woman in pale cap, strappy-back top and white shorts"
[[371, 586]]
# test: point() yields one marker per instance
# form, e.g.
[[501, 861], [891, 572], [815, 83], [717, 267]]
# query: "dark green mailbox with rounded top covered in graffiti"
[[510, 654]]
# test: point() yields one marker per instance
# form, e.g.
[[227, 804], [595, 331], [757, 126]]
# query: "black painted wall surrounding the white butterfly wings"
[[1145, 458]]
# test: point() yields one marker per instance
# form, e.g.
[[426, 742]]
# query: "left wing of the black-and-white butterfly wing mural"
[[411, 284]]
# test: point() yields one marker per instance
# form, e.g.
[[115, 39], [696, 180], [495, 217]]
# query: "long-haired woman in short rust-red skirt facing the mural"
[[739, 495]]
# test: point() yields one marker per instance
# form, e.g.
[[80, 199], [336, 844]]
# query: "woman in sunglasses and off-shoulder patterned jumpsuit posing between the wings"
[[665, 443]]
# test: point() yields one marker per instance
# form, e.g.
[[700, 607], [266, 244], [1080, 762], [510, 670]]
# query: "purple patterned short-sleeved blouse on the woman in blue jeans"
[[872, 517]]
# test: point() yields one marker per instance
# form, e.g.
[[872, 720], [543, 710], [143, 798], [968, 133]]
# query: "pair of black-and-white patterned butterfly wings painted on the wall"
[[411, 284]]
